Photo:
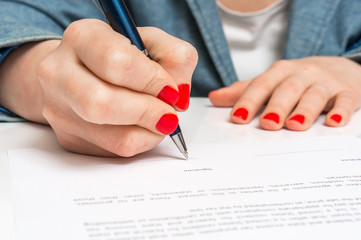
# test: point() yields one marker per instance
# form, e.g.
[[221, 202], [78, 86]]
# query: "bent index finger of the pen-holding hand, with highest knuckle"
[[114, 59]]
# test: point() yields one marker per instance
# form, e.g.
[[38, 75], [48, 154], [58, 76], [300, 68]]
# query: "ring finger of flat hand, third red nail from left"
[[309, 108]]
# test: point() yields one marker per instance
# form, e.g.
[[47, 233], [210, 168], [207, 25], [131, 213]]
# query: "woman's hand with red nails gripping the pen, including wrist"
[[100, 94]]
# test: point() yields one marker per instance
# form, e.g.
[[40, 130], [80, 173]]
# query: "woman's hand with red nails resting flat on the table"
[[296, 92]]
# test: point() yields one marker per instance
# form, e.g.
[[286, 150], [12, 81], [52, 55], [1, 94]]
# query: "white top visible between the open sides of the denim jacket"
[[256, 39]]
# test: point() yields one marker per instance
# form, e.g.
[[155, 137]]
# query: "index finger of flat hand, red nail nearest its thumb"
[[259, 90]]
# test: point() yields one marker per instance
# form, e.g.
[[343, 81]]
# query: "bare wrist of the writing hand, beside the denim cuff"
[[20, 90]]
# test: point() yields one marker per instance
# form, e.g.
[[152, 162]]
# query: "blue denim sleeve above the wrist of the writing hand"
[[23, 21]]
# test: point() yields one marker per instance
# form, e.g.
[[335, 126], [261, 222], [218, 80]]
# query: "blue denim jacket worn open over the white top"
[[322, 27]]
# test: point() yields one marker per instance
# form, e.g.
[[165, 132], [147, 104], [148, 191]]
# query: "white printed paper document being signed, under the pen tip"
[[307, 188]]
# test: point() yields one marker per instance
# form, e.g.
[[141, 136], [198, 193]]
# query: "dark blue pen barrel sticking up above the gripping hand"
[[121, 21]]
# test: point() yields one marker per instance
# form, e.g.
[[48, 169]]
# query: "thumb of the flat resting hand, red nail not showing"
[[227, 96]]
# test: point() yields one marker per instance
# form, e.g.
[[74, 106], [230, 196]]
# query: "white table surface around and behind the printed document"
[[195, 124]]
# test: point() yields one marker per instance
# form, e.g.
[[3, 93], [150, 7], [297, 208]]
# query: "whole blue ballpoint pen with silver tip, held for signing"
[[119, 18]]
